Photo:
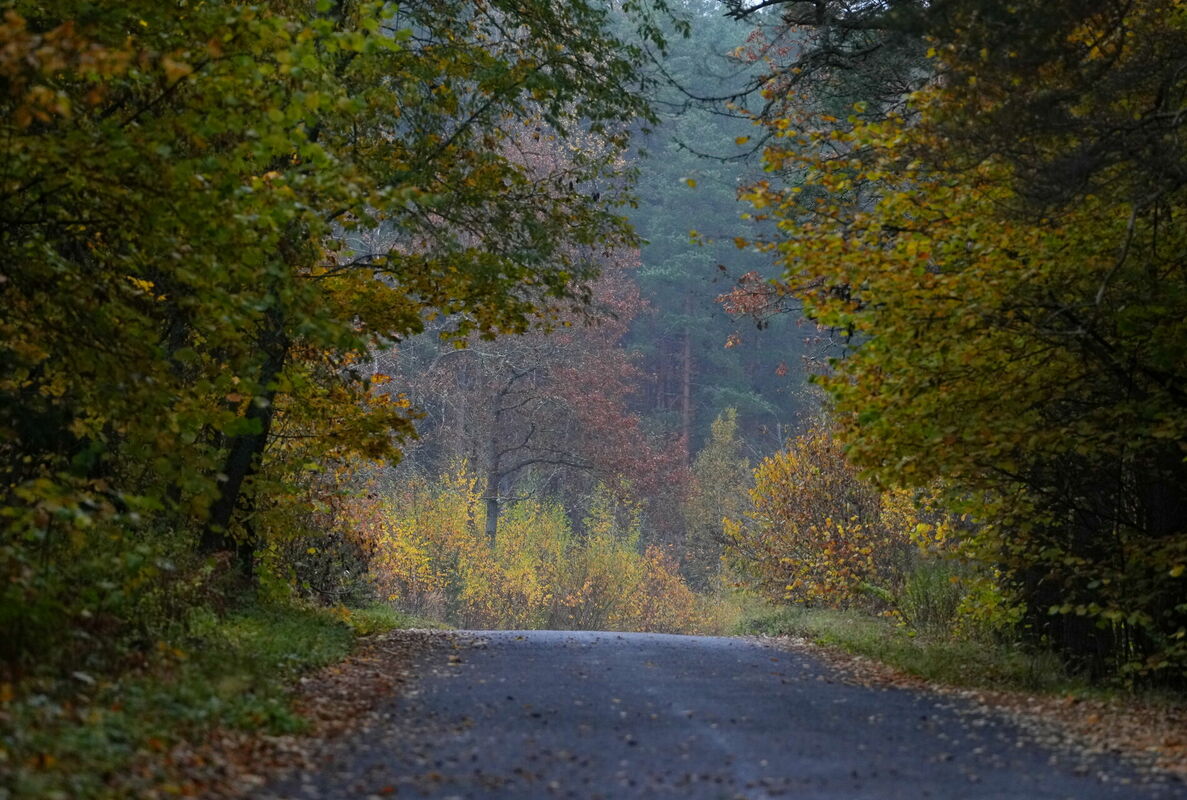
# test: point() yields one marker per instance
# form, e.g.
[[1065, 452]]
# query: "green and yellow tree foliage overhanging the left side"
[[212, 215]]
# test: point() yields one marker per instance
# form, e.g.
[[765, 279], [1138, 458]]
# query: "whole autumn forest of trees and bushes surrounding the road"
[[649, 315]]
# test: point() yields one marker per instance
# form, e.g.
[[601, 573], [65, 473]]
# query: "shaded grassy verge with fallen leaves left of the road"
[[195, 713]]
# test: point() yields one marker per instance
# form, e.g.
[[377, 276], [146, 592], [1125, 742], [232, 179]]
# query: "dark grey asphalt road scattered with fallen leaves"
[[522, 715]]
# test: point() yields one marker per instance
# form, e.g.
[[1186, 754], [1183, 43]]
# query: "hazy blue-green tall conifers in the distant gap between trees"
[[702, 360]]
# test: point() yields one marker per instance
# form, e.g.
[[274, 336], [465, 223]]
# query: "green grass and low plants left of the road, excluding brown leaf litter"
[[75, 736]]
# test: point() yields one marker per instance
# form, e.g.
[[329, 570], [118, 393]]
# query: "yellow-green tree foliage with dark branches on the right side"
[[1019, 312]]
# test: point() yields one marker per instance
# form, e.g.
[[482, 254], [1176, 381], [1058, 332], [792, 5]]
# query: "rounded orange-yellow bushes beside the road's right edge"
[[821, 536]]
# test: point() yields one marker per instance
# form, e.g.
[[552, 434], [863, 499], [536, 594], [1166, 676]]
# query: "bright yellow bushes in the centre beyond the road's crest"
[[433, 557]]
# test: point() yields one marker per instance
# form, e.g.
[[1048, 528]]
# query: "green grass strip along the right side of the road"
[[956, 663]]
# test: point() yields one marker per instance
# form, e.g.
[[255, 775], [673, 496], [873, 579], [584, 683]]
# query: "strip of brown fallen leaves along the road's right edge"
[[1152, 738]]
